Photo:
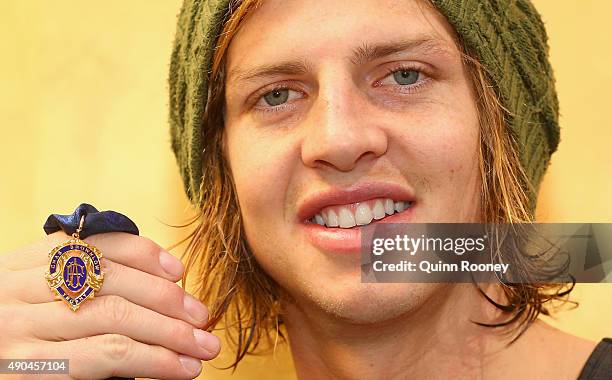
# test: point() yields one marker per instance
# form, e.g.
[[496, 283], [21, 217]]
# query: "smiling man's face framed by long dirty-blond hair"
[[333, 110]]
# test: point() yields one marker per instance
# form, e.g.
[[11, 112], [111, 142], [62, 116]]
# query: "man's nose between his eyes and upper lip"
[[342, 128]]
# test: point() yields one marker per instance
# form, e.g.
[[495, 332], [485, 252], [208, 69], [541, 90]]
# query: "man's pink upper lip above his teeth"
[[313, 203]]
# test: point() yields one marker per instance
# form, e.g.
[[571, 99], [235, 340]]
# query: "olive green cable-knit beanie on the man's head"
[[508, 37]]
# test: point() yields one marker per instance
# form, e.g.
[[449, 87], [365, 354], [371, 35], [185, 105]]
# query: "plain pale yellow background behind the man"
[[83, 118]]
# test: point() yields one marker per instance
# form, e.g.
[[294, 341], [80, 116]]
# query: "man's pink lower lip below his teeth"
[[347, 240]]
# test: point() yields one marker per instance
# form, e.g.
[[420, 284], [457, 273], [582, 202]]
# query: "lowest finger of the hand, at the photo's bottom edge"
[[109, 355]]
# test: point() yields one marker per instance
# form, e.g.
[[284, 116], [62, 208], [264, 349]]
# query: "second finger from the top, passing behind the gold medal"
[[144, 289]]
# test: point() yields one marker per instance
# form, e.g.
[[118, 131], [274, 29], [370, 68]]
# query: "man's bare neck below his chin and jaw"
[[438, 340]]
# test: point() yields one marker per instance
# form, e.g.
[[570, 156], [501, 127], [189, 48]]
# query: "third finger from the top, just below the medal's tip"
[[112, 314]]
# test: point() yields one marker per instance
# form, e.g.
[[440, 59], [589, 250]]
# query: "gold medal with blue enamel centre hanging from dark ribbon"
[[74, 272]]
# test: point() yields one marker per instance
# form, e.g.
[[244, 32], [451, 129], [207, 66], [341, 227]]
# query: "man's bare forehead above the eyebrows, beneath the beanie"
[[284, 29]]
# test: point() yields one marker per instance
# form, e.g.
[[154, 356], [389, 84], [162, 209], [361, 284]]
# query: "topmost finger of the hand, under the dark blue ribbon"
[[131, 250]]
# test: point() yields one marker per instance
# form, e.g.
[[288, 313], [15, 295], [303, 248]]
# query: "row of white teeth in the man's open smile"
[[359, 213]]
